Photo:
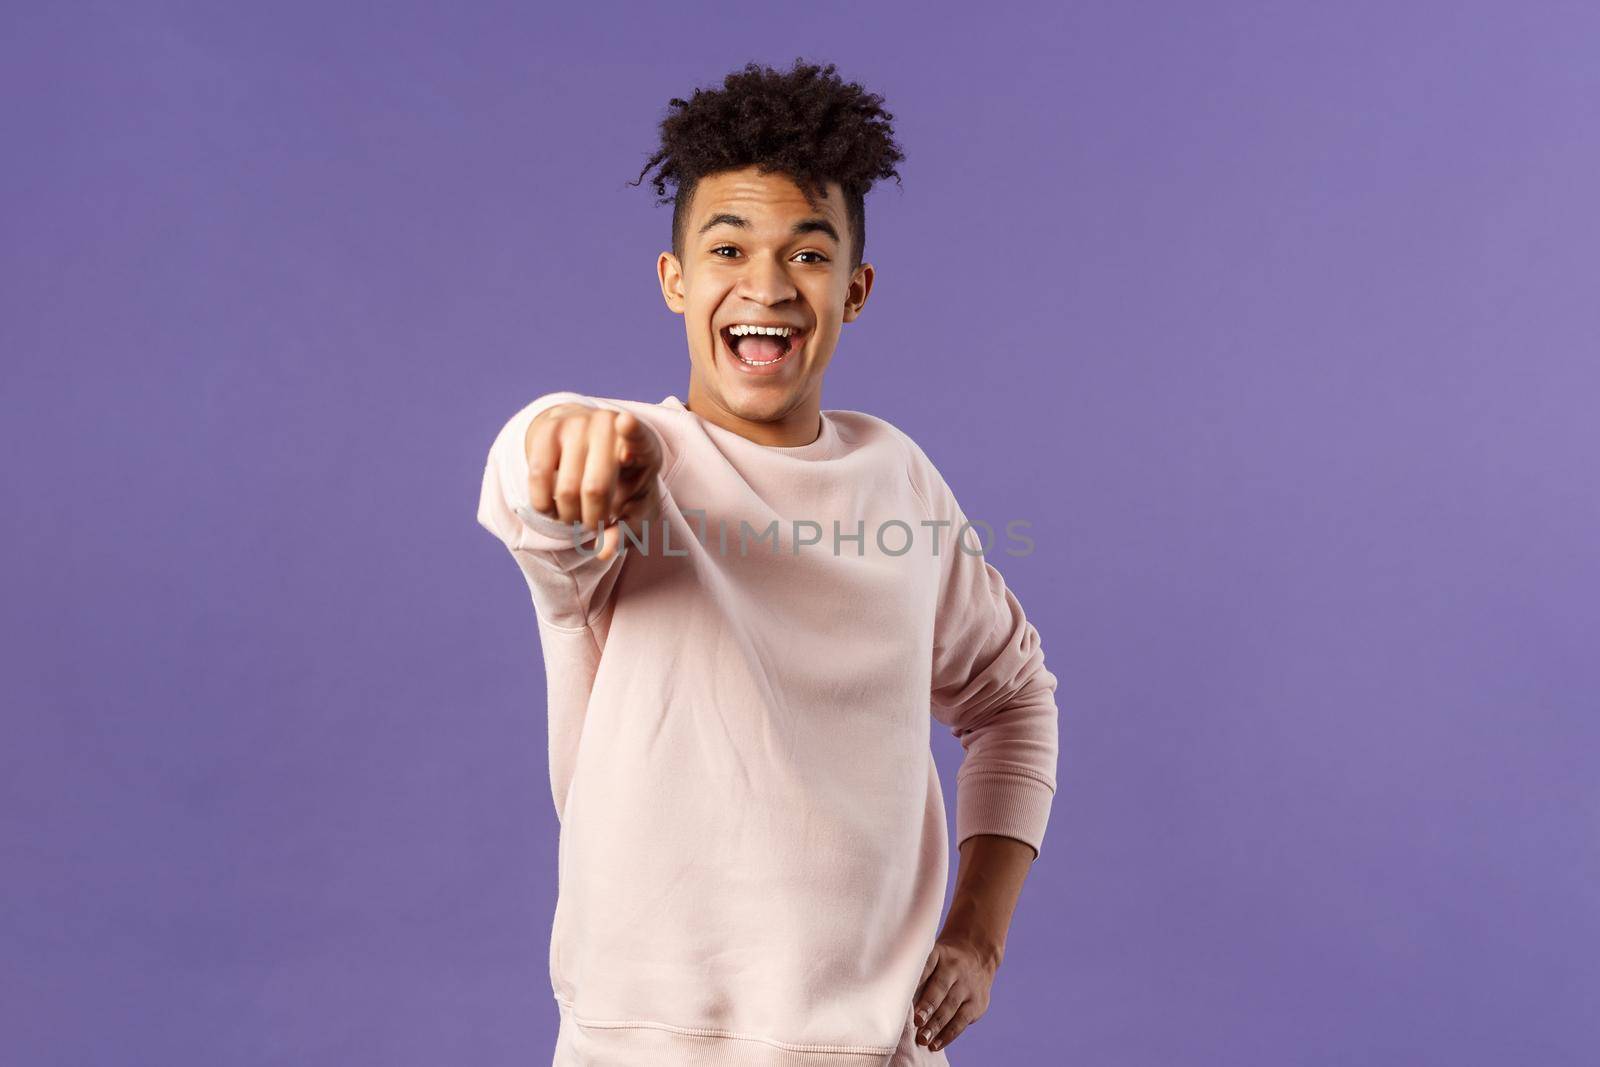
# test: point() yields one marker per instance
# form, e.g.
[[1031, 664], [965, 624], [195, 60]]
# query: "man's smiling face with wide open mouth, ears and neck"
[[759, 254]]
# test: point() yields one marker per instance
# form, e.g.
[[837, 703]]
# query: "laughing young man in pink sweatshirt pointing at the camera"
[[750, 609]]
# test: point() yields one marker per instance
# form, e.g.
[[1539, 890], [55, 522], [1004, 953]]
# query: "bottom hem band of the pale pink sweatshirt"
[[668, 1045]]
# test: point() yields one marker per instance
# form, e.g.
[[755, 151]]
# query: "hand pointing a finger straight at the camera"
[[594, 466]]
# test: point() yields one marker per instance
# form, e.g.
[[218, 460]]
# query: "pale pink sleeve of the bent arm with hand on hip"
[[990, 682]]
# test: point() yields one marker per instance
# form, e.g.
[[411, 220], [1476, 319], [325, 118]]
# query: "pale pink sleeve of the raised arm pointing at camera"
[[569, 585]]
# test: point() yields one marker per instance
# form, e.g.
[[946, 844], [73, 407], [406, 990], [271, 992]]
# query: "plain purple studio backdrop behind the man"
[[1278, 321]]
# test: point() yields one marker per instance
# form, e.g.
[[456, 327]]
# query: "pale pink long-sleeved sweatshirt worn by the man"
[[753, 837]]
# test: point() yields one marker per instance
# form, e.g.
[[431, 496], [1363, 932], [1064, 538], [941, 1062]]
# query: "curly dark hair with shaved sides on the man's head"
[[806, 122]]
